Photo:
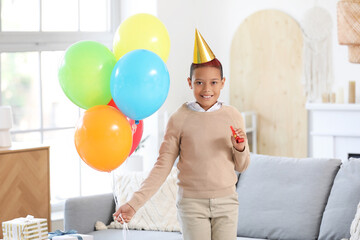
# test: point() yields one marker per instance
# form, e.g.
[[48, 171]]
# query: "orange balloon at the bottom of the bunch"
[[103, 138]]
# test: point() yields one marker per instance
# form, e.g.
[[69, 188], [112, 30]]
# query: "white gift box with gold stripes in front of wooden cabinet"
[[25, 229]]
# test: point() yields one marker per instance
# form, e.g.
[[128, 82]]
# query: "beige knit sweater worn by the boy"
[[207, 158]]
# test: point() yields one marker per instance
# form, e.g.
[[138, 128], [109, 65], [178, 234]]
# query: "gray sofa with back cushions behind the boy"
[[279, 198]]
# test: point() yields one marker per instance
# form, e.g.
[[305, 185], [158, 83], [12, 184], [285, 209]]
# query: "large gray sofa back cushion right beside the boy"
[[284, 198]]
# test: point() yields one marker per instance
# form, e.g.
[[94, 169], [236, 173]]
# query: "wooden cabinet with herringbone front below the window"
[[24, 182]]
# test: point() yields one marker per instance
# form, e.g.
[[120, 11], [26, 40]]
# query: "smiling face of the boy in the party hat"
[[207, 84]]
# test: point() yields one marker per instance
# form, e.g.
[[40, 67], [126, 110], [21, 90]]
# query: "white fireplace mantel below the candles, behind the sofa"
[[334, 130]]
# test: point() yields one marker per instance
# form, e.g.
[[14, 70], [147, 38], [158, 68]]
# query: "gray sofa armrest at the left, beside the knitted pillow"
[[81, 213]]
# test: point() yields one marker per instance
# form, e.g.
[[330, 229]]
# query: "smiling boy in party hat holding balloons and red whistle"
[[199, 133]]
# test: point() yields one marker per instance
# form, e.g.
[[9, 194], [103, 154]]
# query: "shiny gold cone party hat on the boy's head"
[[202, 52]]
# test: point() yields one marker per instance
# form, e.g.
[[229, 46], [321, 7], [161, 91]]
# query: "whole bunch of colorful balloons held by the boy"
[[118, 89]]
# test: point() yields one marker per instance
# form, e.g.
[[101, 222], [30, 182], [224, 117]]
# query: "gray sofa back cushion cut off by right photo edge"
[[341, 207]]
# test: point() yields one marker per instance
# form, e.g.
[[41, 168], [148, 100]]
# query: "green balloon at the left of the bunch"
[[85, 72]]
